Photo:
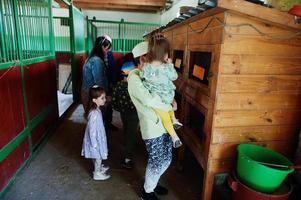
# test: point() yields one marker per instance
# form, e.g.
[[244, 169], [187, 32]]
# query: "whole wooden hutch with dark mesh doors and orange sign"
[[240, 82]]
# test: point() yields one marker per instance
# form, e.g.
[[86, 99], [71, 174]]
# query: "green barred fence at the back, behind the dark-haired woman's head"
[[125, 35]]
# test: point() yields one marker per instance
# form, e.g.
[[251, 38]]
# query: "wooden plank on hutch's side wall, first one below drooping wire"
[[240, 44]]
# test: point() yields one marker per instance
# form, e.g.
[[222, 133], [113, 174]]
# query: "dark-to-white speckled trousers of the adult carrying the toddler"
[[159, 158]]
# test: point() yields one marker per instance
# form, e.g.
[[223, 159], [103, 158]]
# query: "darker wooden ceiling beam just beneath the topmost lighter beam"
[[117, 7]]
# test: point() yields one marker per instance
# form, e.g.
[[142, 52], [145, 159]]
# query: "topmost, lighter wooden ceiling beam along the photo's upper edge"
[[157, 3]]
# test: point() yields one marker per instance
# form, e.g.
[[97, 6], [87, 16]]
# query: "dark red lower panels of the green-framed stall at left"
[[40, 84]]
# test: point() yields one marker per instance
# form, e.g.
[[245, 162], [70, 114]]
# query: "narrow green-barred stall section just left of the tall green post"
[[61, 29]]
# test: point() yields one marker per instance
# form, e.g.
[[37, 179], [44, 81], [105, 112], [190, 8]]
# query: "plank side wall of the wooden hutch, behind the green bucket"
[[258, 89]]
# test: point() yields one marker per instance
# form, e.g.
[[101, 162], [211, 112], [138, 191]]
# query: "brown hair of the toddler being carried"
[[158, 47]]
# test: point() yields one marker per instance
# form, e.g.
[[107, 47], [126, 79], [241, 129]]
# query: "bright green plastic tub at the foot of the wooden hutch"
[[257, 176]]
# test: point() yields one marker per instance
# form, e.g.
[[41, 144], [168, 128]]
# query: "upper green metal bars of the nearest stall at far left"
[[25, 30]]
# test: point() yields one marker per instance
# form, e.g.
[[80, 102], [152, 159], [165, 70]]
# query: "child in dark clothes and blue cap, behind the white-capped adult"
[[121, 102]]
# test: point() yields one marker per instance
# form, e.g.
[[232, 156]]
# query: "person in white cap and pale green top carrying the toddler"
[[158, 143]]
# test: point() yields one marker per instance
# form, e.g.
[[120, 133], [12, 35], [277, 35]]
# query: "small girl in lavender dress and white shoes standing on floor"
[[95, 140]]
